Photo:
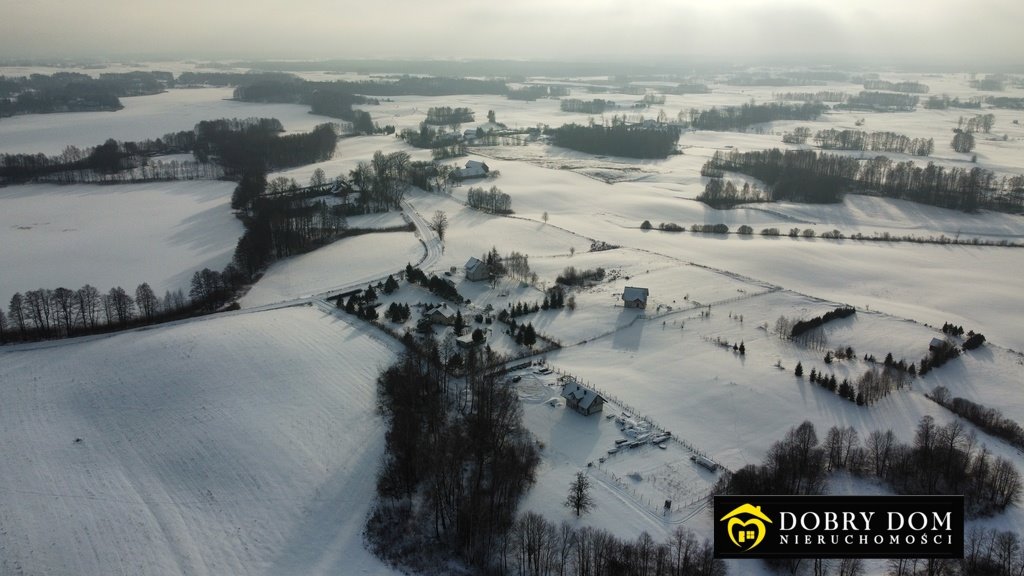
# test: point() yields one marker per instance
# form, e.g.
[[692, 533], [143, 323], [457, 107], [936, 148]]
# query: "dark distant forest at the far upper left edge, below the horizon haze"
[[73, 92]]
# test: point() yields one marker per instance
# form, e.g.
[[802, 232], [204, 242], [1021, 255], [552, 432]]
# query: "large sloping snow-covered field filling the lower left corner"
[[235, 445]]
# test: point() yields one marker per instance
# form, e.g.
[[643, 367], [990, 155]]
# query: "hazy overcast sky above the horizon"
[[966, 31]]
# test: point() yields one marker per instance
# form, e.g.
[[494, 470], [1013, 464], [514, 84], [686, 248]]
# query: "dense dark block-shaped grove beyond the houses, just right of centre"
[[621, 140]]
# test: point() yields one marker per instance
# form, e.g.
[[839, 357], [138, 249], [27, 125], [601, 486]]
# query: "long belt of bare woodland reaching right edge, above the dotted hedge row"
[[821, 178]]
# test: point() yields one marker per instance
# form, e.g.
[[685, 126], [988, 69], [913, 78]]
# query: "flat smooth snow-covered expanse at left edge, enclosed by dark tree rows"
[[111, 236]]
